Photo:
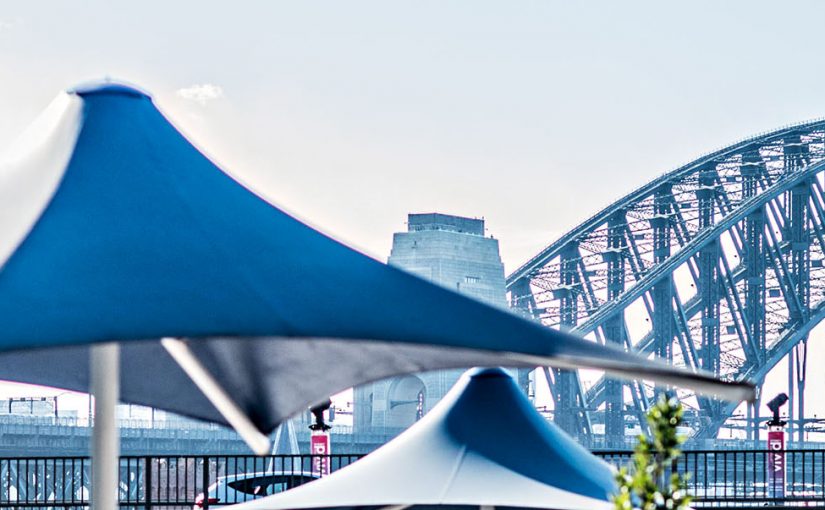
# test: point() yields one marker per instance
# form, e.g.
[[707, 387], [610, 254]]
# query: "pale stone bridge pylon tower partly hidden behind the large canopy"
[[450, 251]]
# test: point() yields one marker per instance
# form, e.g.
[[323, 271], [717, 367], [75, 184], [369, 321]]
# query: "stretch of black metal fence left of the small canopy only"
[[168, 482]]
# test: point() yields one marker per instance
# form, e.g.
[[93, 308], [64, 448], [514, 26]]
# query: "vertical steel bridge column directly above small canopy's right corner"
[[614, 328]]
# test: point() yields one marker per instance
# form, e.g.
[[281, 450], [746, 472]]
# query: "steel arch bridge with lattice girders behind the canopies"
[[716, 265]]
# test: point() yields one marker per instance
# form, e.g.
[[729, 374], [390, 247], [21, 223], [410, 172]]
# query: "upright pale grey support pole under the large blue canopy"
[[105, 386]]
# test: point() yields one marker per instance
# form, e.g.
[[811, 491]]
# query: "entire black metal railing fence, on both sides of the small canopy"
[[722, 479]]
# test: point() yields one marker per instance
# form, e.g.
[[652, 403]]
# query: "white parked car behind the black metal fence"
[[242, 487]]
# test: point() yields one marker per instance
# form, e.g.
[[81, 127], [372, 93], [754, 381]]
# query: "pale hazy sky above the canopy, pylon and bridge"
[[533, 114]]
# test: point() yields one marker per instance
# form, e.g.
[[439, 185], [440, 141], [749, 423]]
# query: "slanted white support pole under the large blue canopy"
[[189, 363]]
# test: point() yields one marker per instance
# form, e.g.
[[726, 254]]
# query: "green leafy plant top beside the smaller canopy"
[[645, 485]]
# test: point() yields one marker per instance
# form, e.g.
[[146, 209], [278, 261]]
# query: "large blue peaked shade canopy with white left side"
[[113, 227]]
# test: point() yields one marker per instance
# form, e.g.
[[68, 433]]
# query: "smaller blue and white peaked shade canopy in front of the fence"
[[484, 444]]
